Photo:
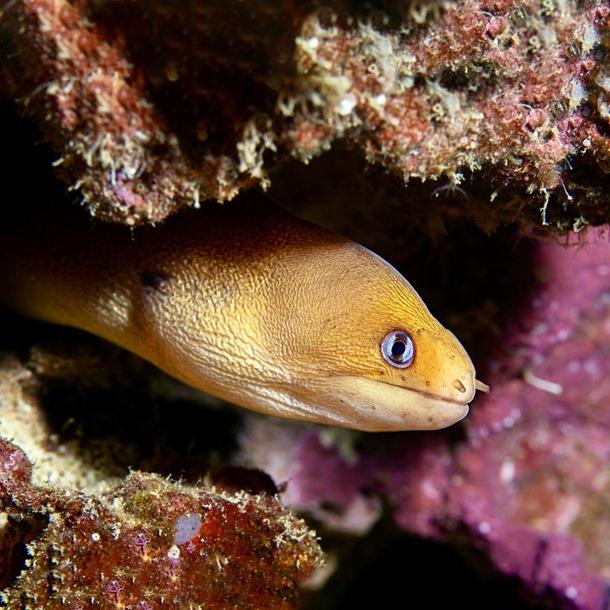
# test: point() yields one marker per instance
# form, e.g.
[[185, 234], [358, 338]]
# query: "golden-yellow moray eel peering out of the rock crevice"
[[252, 305]]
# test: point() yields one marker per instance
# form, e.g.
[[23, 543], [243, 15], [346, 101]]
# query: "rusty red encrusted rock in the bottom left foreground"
[[128, 548]]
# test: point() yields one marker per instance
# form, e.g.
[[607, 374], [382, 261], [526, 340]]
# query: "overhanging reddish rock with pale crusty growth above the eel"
[[149, 108]]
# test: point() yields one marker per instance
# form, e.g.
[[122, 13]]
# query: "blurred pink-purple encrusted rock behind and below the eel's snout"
[[528, 485]]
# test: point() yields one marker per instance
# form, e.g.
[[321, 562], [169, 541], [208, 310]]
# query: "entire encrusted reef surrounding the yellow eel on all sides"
[[468, 143]]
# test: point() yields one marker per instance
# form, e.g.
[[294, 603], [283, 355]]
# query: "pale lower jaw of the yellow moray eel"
[[376, 406]]
